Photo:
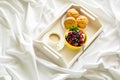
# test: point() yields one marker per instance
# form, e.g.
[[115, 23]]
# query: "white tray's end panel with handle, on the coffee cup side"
[[51, 53]]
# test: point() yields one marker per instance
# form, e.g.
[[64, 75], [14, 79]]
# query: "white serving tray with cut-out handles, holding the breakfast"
[[58, 52]]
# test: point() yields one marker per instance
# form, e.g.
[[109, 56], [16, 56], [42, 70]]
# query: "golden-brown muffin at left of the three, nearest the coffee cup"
[[70, 21]]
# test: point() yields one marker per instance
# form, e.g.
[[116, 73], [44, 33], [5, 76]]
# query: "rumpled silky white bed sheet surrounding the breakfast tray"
[[21, 21]]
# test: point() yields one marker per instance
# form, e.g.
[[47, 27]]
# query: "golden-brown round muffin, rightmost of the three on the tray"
[[82, 21]]
